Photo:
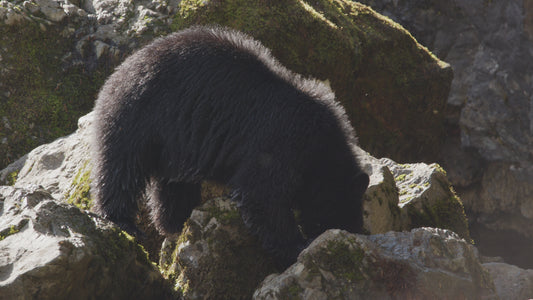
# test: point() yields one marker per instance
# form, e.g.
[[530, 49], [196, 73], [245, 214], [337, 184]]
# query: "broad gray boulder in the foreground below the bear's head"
[[425, 263]]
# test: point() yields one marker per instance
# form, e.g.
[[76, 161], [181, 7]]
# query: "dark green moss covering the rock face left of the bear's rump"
[[43, 101]]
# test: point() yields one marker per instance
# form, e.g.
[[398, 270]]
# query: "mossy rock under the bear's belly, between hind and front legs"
[[215, 256]]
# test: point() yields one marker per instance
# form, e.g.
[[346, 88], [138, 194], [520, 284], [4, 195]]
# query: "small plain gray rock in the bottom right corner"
[[510, 281]]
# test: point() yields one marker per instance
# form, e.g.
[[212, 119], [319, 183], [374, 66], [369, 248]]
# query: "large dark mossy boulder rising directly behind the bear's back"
[[393, 89]]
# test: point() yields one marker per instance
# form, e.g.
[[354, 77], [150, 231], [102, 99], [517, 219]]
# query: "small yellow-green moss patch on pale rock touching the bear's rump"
[[79, 191]]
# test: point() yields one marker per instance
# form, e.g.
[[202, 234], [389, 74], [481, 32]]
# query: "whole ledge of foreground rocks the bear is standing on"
[[50, 247]]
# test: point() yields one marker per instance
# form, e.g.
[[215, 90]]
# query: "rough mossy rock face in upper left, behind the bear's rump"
[[54, 56]]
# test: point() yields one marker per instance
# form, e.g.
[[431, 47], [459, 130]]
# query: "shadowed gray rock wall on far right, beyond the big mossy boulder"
[[489, 153]]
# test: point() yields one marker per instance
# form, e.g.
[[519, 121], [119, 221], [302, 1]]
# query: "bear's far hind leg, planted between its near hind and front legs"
[[171, 204]]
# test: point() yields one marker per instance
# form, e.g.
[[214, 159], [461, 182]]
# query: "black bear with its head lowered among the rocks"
[[212, 103]]
